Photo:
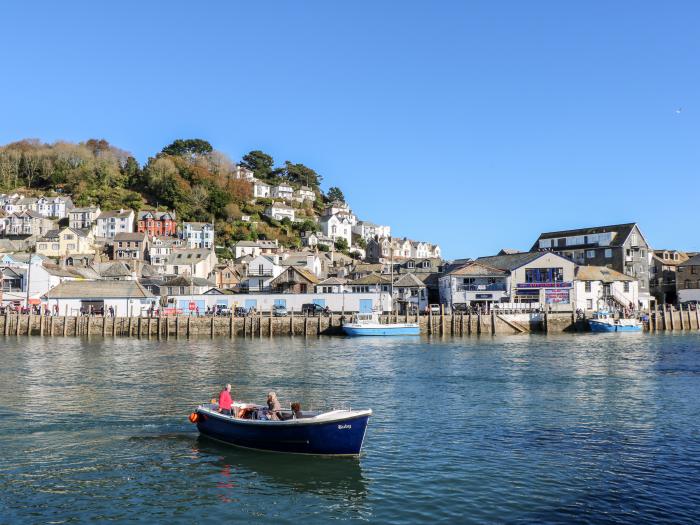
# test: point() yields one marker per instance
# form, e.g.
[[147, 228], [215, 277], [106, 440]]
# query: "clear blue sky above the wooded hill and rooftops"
[[472, 124]]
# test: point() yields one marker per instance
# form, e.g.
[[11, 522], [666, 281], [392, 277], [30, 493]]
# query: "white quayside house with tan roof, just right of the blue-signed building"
[[599, 287]]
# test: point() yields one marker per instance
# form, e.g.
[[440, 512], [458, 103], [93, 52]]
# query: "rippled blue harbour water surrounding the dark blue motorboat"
[[525, 429]]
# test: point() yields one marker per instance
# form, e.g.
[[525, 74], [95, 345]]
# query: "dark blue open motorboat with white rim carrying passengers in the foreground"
[[334, 433]]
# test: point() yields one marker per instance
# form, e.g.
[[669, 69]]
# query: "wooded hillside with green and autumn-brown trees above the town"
[[188, 176]]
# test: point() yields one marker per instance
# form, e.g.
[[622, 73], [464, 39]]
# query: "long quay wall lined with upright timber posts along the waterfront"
[[265, 326]]
